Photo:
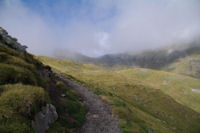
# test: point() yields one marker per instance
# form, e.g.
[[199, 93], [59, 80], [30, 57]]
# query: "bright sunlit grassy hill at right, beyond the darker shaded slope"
[[179, 87]]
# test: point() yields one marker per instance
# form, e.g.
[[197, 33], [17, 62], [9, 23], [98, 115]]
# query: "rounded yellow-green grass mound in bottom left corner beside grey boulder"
[[17, 103]]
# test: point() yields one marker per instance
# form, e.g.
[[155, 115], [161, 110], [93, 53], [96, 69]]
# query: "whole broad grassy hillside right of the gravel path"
[[143, 99]]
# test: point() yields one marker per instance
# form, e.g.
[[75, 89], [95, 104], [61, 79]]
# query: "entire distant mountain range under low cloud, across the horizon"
[[155, 59]]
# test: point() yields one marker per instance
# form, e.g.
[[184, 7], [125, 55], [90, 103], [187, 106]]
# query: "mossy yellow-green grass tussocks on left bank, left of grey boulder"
[[21, 92]]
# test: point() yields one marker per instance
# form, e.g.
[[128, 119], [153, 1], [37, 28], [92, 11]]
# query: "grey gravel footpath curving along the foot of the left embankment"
[[99, 117]]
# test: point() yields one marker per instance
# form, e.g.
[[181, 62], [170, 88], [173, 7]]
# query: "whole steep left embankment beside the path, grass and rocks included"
[[32, 99]]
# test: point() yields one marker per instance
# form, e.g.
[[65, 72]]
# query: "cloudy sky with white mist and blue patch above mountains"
[[98, 27]]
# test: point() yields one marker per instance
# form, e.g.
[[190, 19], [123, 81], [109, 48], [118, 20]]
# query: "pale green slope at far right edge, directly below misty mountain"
[[189, 65]]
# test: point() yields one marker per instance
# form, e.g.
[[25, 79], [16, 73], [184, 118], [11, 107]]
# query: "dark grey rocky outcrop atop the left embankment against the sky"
[[7, 40]]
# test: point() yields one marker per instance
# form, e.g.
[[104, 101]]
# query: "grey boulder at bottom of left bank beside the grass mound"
[[44, 118]]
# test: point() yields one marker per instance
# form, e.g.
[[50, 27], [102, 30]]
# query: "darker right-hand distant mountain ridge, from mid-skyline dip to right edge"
[[155, 59]]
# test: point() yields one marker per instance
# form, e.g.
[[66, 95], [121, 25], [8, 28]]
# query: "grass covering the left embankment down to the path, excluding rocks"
[[24, 89]]
